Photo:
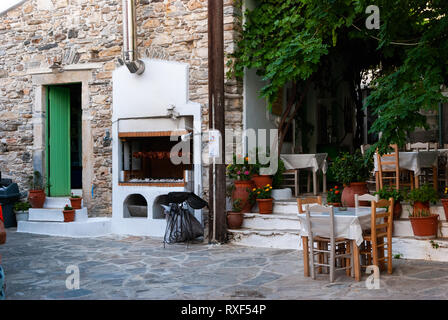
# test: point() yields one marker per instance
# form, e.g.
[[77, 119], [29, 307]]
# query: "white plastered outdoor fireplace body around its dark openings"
[[149, 95]]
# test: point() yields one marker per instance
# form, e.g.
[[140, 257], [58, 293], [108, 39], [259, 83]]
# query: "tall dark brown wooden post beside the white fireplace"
[[217, 172]]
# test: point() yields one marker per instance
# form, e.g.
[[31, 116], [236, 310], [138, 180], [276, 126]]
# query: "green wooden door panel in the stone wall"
[[58, 141]]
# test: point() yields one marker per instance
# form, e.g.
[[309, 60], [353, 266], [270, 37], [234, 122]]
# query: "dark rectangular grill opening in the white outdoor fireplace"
[[149, 160]]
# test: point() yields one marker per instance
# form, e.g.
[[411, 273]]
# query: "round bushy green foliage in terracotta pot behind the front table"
[[348, 168]]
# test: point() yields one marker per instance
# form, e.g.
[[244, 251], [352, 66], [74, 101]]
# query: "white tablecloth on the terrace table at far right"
[[414, 161]]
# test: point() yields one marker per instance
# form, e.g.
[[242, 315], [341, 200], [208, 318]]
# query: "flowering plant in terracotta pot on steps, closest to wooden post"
[[240, 171]]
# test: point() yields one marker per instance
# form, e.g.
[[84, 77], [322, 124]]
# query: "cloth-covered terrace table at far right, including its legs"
[[415, 161]]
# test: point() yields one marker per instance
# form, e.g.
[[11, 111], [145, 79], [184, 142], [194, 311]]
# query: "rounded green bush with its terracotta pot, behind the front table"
[[352, 170]]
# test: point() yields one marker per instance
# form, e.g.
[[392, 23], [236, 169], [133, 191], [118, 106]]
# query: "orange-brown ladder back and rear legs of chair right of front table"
[[381, 227]]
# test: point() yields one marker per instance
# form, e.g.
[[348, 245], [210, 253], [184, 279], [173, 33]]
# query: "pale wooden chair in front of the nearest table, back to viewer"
[[331, 250]]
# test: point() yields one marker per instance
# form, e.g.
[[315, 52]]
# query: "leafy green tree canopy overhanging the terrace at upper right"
[[291, 41]]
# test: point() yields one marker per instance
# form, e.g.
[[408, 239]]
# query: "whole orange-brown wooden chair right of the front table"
[[381, 228]]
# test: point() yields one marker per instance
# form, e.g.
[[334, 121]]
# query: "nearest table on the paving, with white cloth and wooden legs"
[[348, 225]]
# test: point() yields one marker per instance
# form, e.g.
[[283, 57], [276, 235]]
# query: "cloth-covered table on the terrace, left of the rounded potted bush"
[[317, 162]]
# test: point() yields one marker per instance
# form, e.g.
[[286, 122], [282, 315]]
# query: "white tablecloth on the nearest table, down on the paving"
[[348, 224]]
